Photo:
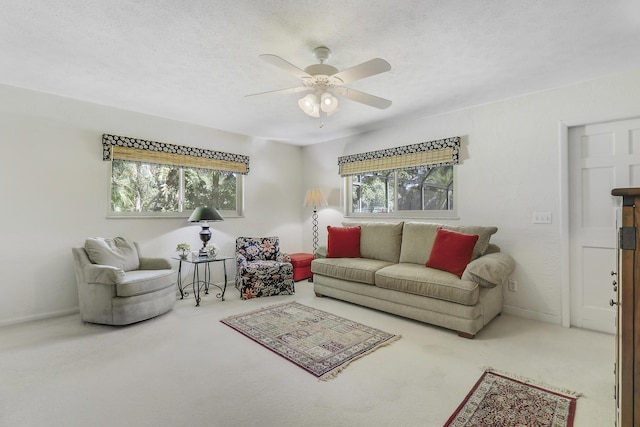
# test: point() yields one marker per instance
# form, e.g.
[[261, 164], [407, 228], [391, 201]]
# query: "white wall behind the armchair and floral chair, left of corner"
[[54, 194]]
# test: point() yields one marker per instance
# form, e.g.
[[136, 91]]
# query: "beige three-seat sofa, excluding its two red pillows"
[[391, 275]]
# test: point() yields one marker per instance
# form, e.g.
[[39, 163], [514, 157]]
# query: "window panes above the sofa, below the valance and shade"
[[421, 192]]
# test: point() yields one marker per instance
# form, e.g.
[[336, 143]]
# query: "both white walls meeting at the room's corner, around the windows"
[[54, 185]]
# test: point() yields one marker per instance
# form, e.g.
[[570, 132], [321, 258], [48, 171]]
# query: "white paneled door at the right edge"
[[601, 157]]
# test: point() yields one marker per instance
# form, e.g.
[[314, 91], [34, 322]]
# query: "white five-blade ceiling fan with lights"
[[325, 82]]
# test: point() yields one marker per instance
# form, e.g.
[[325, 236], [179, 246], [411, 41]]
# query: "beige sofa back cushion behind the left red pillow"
[[379, 240]]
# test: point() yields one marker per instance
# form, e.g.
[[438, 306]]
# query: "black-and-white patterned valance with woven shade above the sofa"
[[432, 153]]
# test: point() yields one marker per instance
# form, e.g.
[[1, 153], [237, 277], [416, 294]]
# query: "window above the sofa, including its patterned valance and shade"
[[410, 181]]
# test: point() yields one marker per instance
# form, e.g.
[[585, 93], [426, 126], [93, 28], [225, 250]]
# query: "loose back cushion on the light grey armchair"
[[117, 252]]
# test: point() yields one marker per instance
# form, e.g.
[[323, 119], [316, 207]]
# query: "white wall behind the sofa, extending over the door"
[[510, 167]]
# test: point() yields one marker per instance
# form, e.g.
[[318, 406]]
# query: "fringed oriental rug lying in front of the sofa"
[[319, 342]]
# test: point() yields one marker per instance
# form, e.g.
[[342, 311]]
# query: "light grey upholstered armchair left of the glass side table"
[[116, 286]]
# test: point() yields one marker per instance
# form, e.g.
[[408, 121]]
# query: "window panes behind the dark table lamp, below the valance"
[[150, 189]]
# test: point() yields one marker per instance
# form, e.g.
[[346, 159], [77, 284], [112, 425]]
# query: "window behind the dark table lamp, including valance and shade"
[[168, 182]]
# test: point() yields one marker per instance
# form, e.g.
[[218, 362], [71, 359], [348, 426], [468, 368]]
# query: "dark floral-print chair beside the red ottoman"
[[261, 269]]
